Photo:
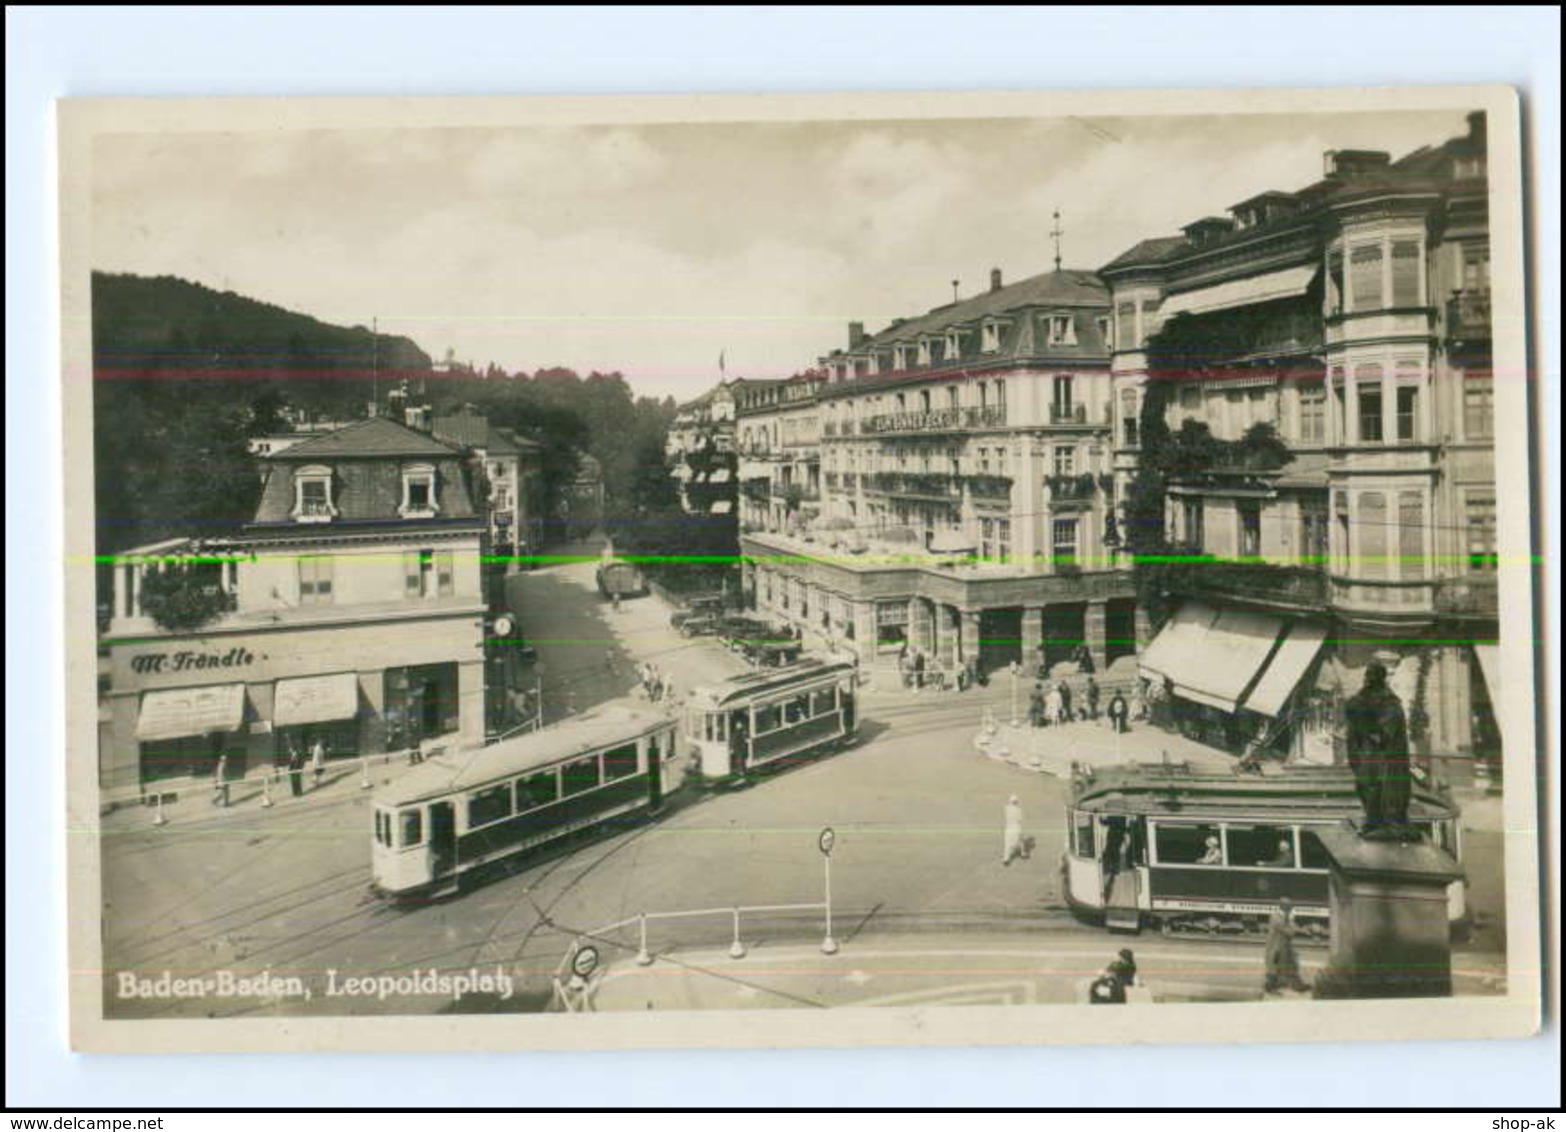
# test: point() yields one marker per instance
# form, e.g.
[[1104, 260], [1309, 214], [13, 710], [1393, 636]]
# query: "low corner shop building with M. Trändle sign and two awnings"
[[352, 613]]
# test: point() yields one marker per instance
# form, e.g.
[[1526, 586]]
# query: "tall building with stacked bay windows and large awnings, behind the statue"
[[1354, 317]]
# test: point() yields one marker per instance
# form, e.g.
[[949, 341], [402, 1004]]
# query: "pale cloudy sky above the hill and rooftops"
[[652, 250]]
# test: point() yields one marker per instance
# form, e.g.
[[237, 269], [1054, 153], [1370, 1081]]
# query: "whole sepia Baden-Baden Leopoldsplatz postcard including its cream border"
[[648, 572]]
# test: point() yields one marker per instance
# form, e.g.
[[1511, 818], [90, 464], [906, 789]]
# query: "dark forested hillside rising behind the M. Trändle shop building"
[[184, 375]]
